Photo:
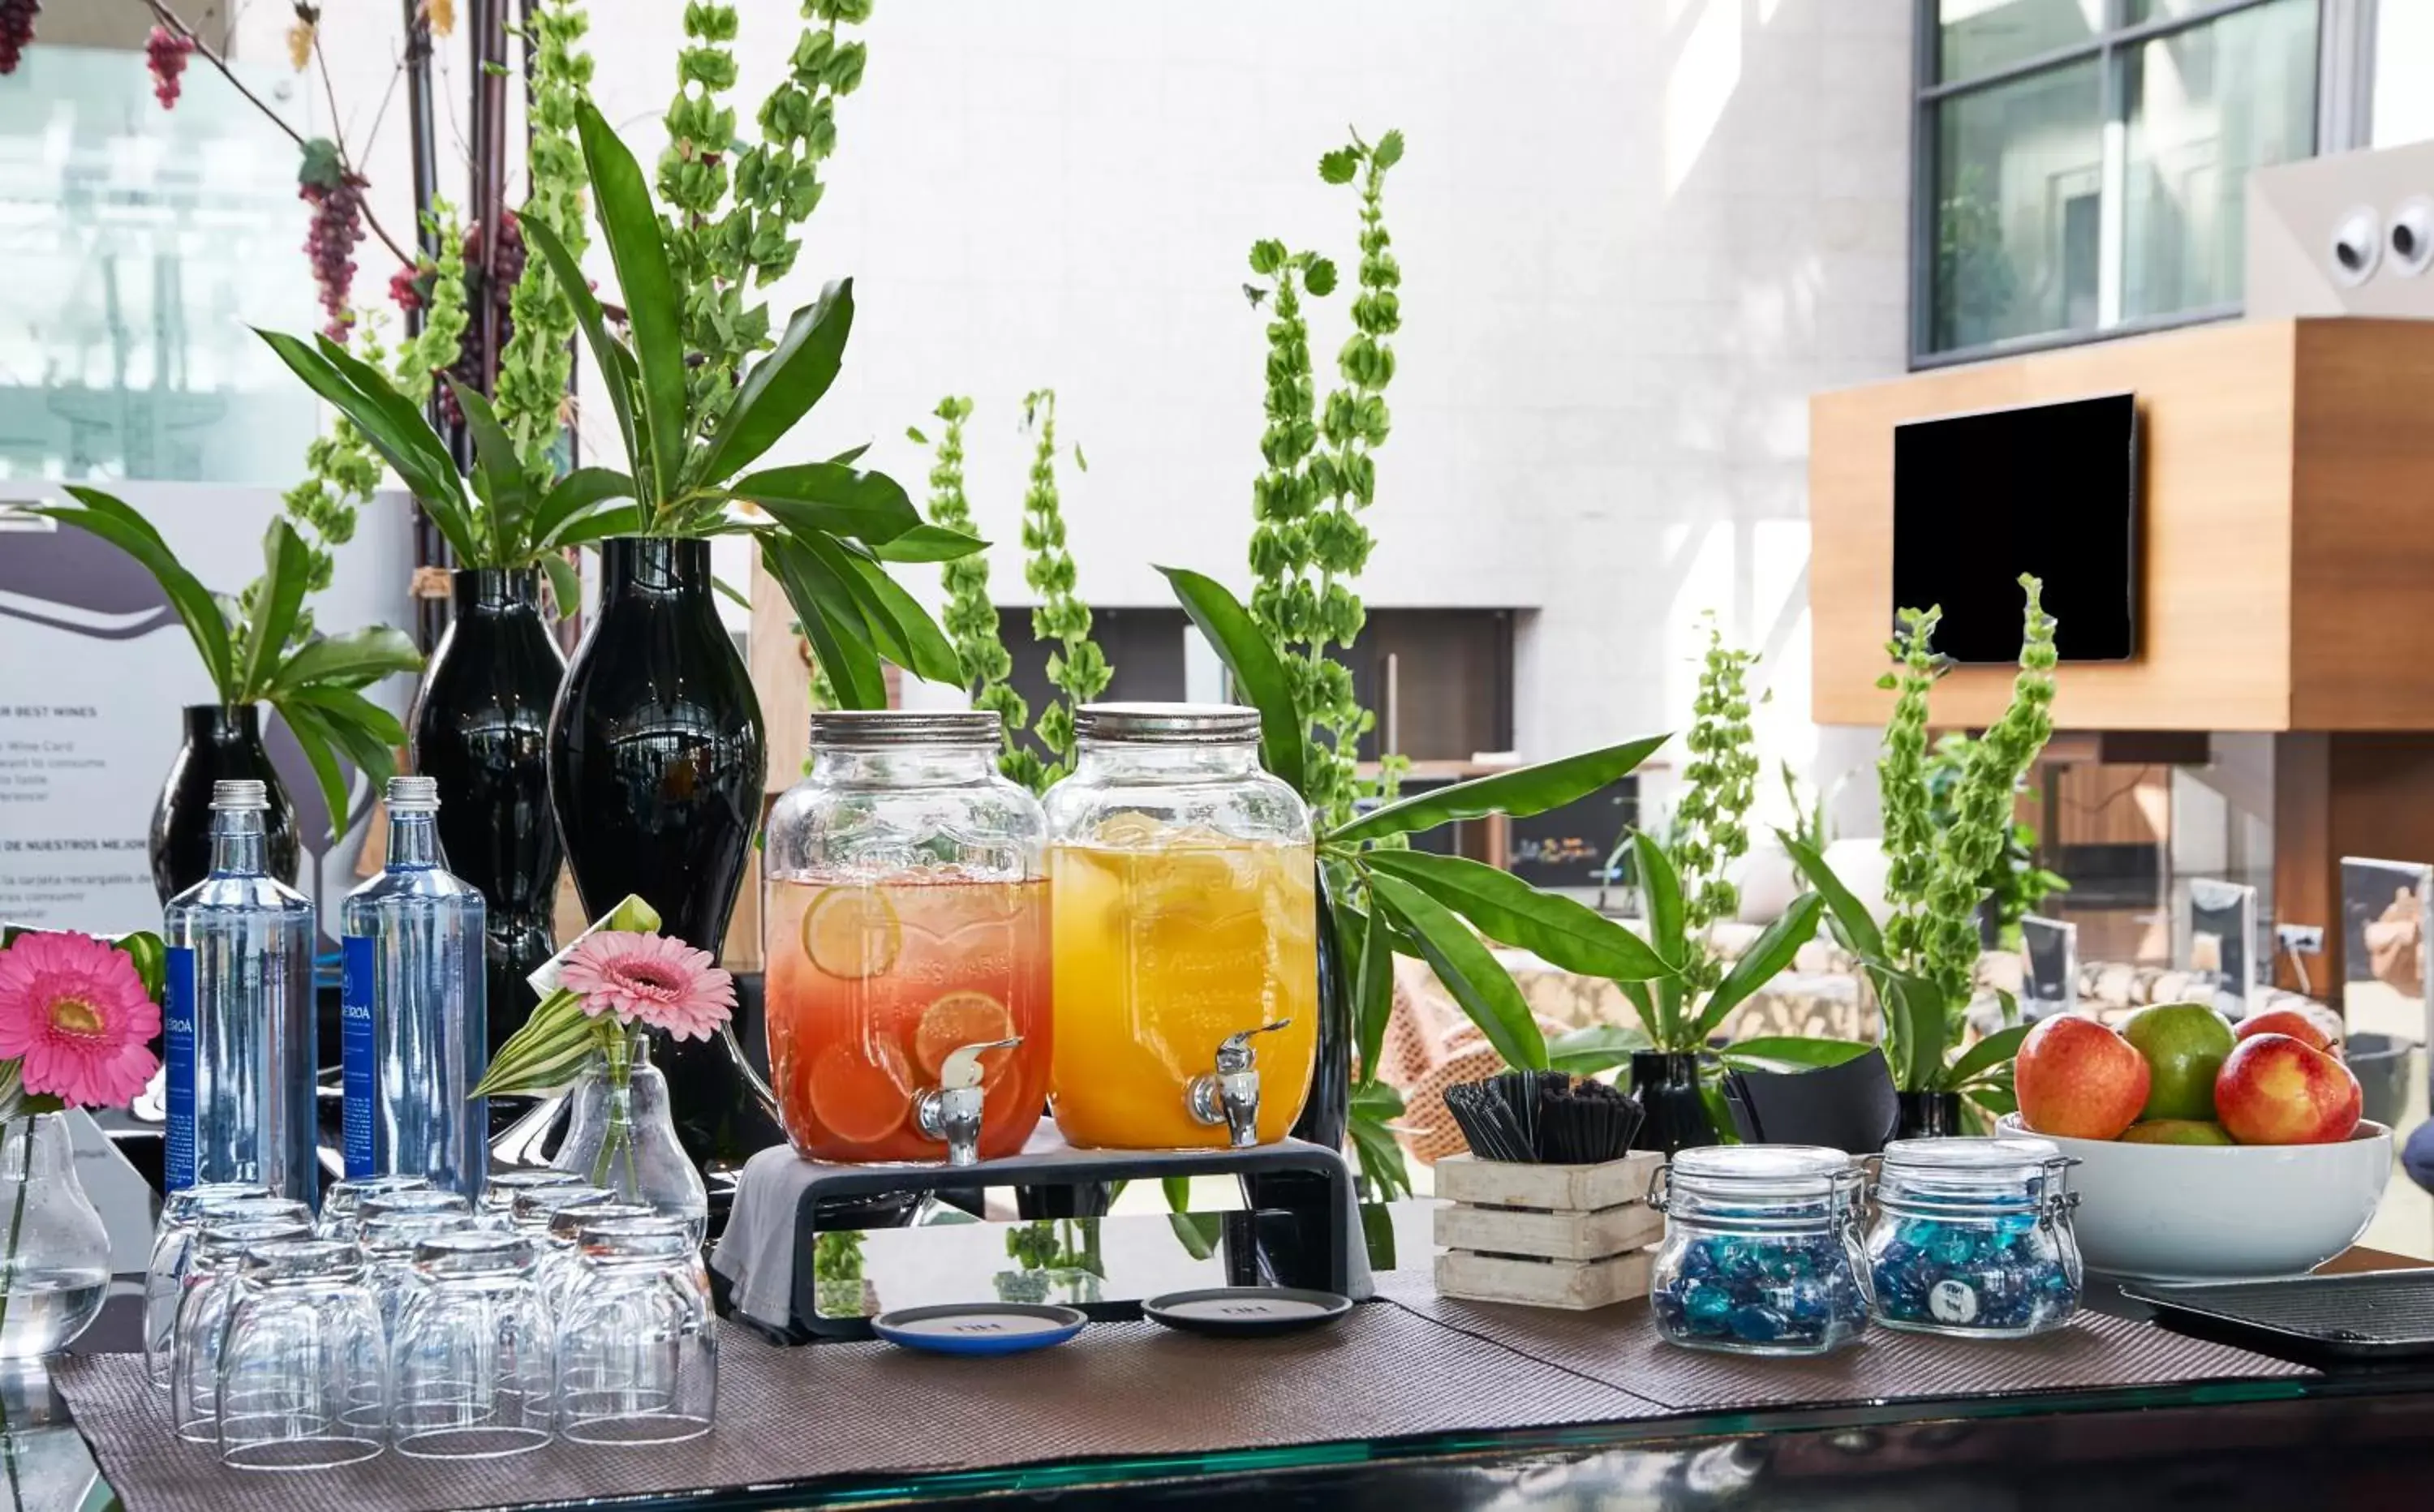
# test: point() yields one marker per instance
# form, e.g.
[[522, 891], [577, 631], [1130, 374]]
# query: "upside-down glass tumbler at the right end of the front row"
[[636, 1340]]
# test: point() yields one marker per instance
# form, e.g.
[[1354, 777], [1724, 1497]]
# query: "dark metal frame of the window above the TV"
[[2109, 47]]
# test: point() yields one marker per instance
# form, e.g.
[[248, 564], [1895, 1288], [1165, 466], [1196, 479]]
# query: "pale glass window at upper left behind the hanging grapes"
[[135, 250]]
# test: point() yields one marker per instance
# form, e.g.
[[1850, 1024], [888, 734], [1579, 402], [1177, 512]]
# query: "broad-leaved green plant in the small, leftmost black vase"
[[254, 651]]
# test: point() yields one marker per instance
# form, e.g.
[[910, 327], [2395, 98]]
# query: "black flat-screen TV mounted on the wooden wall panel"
[[2046, 488]]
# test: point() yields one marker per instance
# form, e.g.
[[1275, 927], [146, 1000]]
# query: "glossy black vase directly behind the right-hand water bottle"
[[481, 727]]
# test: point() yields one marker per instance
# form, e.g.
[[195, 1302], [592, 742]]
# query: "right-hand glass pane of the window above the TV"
[[2204, 108]]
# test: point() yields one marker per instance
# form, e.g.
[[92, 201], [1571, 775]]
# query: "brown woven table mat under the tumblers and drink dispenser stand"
[[1121, 1389]]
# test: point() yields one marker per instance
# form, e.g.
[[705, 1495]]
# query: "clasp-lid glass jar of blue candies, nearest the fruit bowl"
[[1973, 1238]]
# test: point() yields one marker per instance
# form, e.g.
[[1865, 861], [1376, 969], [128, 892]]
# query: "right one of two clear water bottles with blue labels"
[[413, 1019]]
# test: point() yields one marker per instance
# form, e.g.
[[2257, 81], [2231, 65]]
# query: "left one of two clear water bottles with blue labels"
[[240, 1026]]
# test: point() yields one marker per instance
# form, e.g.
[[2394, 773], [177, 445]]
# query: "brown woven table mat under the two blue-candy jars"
[[1620, 1345]]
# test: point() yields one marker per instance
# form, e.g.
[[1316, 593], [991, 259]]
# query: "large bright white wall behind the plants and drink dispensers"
[[1637, 235]]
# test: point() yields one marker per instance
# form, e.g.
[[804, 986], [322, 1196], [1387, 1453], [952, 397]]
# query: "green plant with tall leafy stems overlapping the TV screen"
[[1924, 961]]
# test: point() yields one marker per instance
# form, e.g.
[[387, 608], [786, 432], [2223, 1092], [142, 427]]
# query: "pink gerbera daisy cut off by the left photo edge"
[[77, 1014]]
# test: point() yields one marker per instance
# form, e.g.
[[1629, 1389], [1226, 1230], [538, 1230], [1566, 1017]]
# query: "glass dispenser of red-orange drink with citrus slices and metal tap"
[[909, 943]]
